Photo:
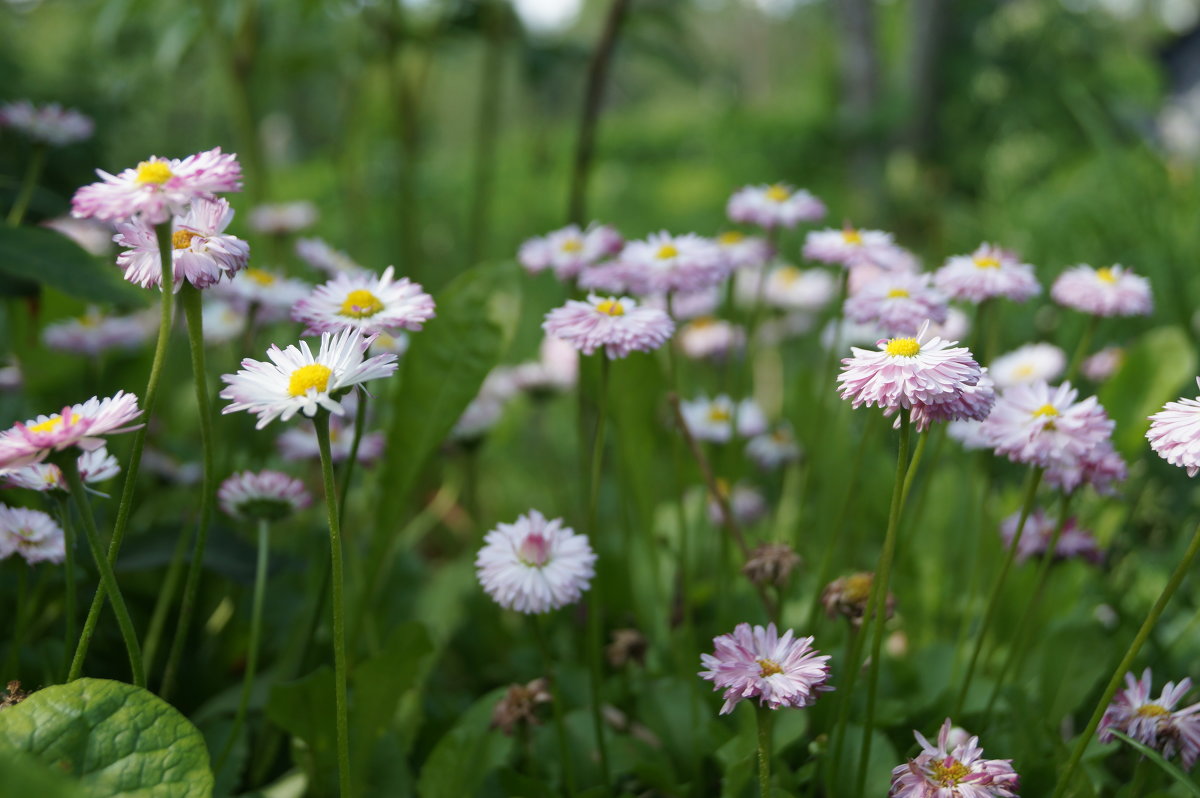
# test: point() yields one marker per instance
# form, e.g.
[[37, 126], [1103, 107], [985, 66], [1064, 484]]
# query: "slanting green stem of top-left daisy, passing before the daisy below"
[[163, 232]]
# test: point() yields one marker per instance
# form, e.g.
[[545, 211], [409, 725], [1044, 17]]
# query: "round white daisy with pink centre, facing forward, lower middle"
[[536, 566]]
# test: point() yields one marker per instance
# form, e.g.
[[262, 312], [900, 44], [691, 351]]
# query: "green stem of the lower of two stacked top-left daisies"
[[190, 298]]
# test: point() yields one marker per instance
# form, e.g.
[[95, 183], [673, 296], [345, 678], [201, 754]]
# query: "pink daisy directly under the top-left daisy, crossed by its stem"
[[201, 251]]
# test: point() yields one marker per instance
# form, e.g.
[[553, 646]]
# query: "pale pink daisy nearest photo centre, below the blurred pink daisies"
[[619, 326]]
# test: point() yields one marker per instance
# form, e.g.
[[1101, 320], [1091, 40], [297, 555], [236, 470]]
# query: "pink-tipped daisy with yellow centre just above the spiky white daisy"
[[367, 303]]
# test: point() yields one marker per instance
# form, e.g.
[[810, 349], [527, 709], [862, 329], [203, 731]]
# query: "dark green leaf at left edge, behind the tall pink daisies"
[[43, 256]]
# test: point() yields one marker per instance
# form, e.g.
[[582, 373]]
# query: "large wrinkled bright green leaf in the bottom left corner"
[[118, 740]]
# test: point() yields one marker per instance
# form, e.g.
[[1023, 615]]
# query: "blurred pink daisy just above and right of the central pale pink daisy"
[[665, 263]]
